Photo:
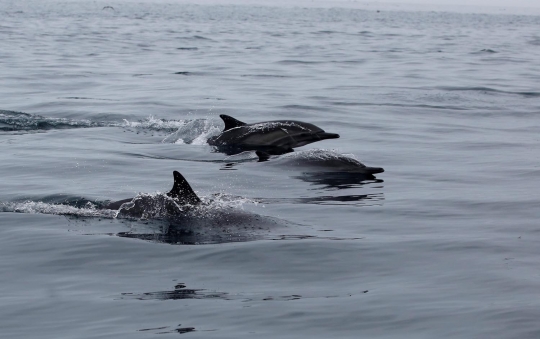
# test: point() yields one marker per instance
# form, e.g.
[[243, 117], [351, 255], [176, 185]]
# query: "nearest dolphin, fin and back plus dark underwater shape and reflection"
[[188, 220]]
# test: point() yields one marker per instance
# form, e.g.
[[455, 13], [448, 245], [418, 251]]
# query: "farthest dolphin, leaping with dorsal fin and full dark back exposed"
[[274, 137]]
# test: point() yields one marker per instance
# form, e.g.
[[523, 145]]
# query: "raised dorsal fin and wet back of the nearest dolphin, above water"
[[180, 195]]
